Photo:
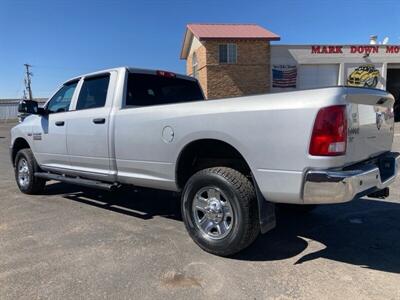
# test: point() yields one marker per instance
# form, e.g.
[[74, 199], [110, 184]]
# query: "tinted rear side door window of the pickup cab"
[[93, 92]]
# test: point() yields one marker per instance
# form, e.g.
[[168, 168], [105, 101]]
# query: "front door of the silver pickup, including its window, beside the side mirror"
[[49, 133]]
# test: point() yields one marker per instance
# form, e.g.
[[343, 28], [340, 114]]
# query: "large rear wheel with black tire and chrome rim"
[[220, 211]]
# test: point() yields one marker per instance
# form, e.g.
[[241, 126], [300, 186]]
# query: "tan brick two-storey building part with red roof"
[[228, 59]]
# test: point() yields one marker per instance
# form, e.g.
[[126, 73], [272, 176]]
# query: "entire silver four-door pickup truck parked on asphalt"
[[231, 159]]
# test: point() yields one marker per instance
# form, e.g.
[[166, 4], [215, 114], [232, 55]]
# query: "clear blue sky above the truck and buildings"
[[65, 38]]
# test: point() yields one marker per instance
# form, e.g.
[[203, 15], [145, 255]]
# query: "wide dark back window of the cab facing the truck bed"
[[156, 89]]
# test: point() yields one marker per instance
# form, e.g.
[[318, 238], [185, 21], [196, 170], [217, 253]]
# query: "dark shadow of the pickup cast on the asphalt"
[[363, 232]]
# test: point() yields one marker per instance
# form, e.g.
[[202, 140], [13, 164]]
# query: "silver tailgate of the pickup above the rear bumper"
[[370, 123]]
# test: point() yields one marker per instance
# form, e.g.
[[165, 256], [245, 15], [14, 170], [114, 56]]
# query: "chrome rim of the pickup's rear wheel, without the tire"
[[212, 213]]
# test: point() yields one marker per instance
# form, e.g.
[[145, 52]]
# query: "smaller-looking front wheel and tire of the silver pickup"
[[25, 168]]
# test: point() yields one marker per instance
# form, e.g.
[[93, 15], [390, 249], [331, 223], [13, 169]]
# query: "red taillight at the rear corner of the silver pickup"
[[329, 137]]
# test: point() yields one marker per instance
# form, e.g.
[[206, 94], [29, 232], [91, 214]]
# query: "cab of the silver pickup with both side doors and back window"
[[74, 134]]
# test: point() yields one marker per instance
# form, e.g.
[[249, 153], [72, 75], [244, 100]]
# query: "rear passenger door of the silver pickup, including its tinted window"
[[88, 128]]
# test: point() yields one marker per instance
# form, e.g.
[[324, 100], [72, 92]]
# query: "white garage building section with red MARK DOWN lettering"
[[312, 66]]
